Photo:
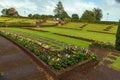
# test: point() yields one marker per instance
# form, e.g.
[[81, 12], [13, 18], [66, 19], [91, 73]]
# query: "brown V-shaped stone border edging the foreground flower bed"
[[57, 75]]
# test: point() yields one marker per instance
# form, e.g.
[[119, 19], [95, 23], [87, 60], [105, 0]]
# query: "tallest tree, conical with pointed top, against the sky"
[[60, 12]]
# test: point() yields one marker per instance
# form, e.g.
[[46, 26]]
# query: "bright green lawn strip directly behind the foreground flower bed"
[[35, 36]]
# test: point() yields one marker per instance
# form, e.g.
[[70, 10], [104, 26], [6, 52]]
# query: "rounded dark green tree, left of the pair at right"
[[88, 16]]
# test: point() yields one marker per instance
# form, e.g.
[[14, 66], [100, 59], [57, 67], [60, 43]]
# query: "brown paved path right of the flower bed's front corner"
[[100, 72]]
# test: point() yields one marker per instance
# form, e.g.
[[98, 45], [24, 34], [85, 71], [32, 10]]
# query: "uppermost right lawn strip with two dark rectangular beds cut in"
[[90, 26]]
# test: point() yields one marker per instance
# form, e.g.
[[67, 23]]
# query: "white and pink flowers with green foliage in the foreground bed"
[[69, 56]]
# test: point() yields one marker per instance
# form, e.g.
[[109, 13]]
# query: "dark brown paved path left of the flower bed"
[[16, 65]]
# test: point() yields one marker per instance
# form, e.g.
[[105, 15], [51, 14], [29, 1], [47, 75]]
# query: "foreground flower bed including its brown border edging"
[[57, 63]]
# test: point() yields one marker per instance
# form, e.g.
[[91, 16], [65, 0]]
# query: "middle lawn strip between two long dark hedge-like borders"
[[83, 33]]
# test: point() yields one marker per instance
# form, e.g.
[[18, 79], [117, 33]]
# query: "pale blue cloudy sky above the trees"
[[25, 7]]
